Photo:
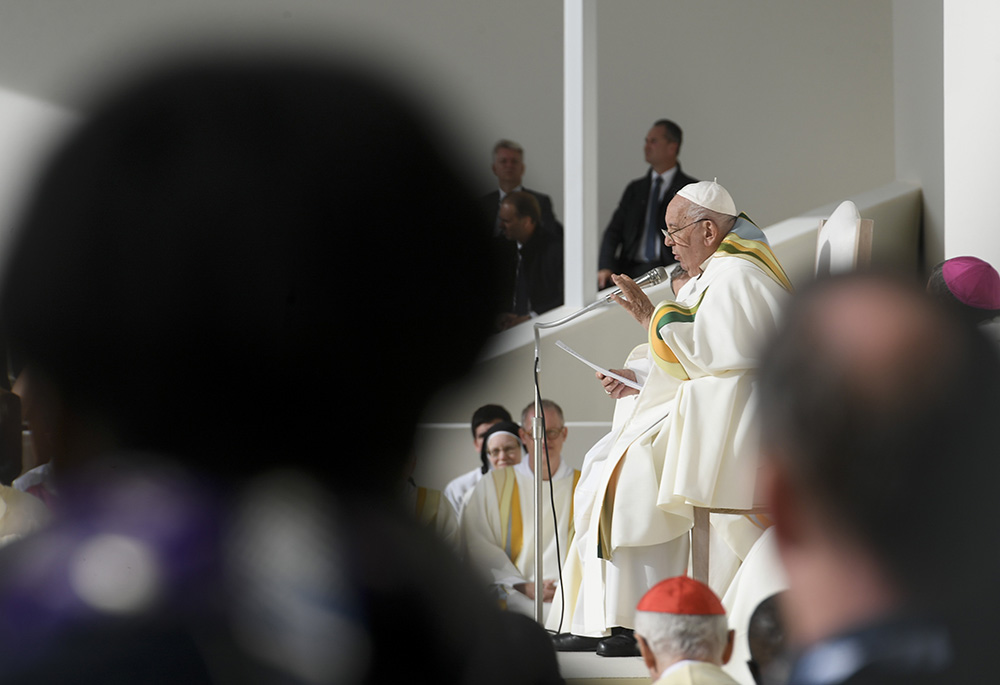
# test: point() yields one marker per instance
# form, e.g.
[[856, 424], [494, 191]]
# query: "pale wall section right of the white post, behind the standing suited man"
[[788, 102]]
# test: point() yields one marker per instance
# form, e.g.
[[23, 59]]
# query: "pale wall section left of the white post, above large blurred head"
[[491, 69]]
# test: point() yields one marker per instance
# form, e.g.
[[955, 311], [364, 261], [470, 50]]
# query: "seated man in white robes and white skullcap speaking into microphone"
[[687, 438]]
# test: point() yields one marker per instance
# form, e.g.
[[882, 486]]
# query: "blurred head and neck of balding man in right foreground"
[[878, 409]]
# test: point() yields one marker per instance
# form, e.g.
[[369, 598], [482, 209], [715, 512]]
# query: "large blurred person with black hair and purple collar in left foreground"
[[195, 278]]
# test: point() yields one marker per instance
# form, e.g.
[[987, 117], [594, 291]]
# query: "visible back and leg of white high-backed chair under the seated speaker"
[[843, 244]]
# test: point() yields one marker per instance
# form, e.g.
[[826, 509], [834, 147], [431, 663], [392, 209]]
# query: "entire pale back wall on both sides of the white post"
[[788, 102]]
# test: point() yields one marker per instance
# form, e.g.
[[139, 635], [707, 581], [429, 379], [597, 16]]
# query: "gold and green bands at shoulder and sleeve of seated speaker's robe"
[[745, 241]]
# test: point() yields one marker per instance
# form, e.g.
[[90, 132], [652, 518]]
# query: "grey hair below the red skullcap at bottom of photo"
[[701, 638]]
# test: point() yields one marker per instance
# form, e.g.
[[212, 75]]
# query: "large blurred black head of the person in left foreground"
[[197, 274]]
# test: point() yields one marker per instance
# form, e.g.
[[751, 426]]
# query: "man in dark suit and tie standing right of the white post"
[[633, 243]]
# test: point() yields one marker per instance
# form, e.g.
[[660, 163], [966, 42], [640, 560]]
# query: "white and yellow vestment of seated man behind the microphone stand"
[[497, 527]]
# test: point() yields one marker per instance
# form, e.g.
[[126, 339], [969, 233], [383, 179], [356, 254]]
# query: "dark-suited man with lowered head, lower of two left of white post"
[[533, 281]]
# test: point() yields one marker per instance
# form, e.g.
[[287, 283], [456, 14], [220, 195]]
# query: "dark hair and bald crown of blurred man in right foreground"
[[878, 403]]
